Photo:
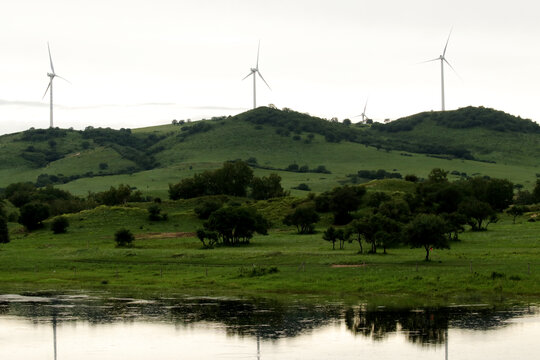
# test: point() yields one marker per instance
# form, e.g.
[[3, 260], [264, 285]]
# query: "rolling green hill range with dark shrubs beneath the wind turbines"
[[471, 141]]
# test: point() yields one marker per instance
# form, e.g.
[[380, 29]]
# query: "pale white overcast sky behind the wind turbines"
[[135, 63]]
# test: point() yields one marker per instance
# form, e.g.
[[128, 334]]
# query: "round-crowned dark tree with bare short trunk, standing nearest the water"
[[427, 231]]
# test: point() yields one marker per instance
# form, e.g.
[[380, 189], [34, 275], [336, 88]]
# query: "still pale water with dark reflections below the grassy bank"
[[85, 327]]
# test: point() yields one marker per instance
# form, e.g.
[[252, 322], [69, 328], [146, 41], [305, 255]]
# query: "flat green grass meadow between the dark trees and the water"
[[86, 258]]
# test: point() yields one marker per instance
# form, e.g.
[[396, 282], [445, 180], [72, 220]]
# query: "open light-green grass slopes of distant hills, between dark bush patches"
[[515, 155]]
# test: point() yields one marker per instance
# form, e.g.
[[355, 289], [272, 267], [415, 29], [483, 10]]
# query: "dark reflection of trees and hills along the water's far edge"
[[264, 318]]
